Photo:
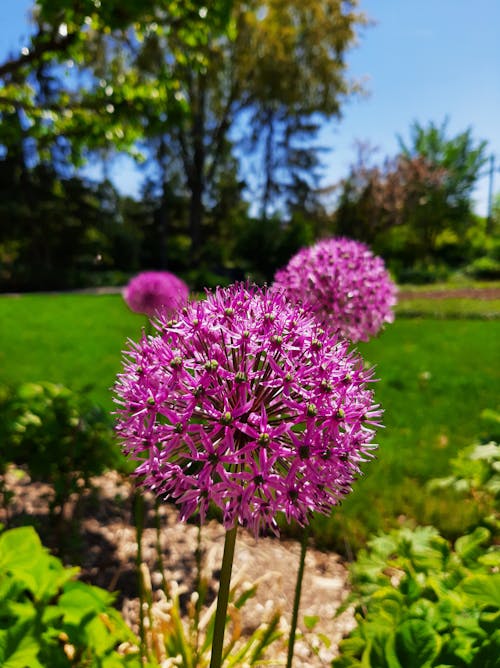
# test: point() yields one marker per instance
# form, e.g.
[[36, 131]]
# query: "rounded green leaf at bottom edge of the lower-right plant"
[[416, 644]]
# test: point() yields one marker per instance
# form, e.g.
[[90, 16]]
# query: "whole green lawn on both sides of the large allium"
[[436, 376]]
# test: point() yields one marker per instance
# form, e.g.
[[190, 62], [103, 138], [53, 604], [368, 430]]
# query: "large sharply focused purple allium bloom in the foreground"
[[245, 402]]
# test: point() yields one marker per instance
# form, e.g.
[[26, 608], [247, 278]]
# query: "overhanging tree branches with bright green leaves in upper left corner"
[[84, 108]]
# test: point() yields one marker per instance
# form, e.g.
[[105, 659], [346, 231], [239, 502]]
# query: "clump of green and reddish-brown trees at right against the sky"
[[417, 204]]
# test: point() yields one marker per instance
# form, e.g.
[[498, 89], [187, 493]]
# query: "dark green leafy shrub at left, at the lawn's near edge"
[[60, 436]]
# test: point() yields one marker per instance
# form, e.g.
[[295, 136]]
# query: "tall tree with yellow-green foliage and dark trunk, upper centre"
[[277, 67]]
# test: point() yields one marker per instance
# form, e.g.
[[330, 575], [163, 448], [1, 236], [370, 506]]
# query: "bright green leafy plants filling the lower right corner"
[[421, 602]]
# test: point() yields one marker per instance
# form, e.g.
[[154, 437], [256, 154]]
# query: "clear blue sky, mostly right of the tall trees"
[[423, 60]]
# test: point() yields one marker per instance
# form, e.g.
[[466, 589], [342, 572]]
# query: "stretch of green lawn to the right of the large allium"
[[436, 377]]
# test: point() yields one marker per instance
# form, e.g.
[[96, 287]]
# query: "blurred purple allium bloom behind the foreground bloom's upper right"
[[347, 287]]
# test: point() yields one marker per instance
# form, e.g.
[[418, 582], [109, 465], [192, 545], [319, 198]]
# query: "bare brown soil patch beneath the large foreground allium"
[[103, 544]]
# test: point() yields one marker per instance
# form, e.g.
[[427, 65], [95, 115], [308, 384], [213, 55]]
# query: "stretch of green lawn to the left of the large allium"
[[71, 339]]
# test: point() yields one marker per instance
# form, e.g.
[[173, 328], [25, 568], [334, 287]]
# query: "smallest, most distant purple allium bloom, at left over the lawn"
[[151, 290]]
